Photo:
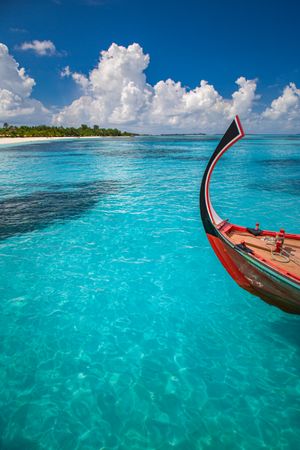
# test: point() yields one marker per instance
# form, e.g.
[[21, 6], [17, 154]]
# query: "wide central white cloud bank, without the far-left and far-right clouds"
[[116, 92]]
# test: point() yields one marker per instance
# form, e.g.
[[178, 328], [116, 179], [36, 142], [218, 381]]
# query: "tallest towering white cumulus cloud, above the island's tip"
[[115, 92]]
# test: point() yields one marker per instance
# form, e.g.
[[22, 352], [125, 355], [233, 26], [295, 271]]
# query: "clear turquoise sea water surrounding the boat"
[[119, 328]]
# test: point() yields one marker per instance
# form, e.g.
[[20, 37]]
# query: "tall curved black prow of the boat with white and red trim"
[[209, 216]]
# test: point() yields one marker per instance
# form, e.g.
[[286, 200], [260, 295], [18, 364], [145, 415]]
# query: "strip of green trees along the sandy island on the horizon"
[[46, 131]]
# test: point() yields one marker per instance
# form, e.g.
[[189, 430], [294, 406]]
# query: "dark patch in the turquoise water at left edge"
[[27, 213]]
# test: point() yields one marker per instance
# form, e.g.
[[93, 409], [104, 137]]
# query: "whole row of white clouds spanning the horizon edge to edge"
[[116, 94]]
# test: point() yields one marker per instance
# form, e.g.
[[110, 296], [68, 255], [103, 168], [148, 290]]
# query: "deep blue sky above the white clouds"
[[217, 41]]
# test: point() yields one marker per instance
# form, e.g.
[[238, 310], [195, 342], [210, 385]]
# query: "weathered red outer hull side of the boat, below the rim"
[[256, 281]]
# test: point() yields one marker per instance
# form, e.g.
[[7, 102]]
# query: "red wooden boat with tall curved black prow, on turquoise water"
[[265, 263]]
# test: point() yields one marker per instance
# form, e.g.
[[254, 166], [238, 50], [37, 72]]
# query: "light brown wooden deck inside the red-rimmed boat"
[[262, 246]]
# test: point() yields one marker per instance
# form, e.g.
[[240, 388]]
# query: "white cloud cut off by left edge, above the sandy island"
[[16, 103]]
